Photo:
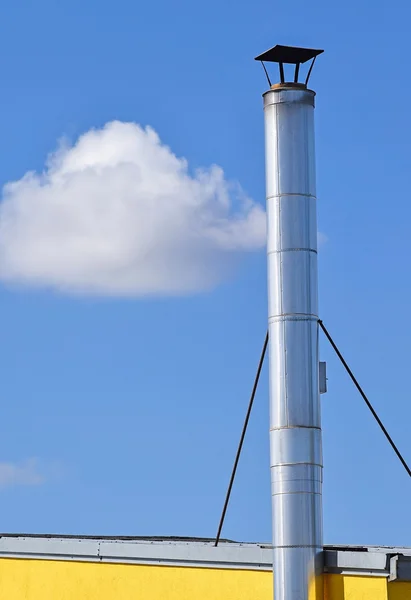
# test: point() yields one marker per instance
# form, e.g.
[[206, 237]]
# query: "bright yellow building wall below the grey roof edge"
[[22, 579]]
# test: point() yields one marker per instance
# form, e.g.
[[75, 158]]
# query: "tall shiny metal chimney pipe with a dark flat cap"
[[295, 420]]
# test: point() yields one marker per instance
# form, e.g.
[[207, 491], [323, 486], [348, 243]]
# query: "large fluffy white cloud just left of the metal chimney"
[[119, 214]]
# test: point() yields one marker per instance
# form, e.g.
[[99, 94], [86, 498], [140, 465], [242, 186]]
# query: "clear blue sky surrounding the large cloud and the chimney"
[[122, 415]]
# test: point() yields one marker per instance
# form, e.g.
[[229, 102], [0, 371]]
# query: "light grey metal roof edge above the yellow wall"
[[391, 562]]
